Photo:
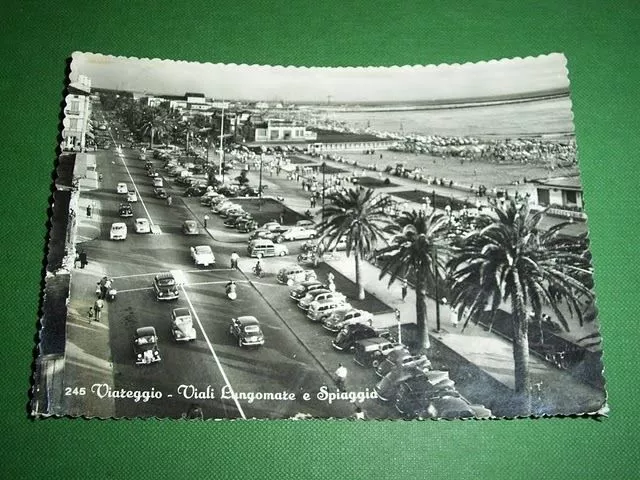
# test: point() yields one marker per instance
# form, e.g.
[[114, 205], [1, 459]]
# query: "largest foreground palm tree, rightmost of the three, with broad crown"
[[512, 261]]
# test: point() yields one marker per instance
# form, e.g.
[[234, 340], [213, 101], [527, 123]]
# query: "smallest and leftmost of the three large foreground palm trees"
[[359, 216]]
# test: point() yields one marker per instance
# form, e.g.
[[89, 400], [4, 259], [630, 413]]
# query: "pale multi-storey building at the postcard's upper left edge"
[[77, 115]]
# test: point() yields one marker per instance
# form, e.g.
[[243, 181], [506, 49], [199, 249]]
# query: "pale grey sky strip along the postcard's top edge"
[[322, 84]]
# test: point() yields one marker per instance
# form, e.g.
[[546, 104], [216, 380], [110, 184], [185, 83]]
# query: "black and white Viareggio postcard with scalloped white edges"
[[232, 241]]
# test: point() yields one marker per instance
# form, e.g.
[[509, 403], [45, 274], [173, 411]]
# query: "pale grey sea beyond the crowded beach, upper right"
[[546, 117]]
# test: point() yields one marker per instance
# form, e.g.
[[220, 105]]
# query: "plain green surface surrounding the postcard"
[[601, 41]]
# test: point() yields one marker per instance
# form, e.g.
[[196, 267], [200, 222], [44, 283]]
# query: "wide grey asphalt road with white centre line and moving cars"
[[297, 357]]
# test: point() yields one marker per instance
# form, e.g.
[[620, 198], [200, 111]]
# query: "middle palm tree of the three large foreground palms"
[[412, 252]]
